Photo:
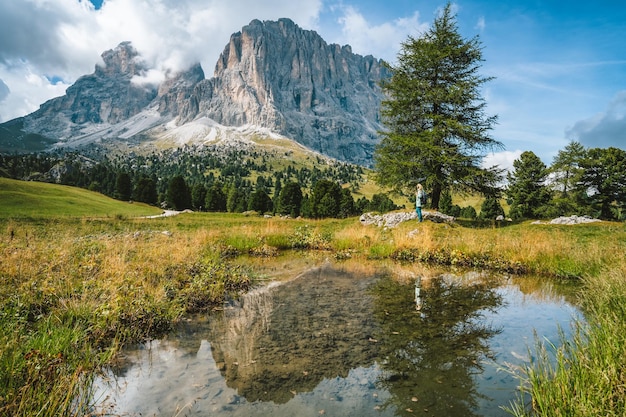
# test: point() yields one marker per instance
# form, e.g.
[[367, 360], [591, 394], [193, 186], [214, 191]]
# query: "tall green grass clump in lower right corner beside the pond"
[[586, 375]]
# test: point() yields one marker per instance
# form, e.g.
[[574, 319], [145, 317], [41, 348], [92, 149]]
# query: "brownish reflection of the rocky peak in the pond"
[[321, 327]]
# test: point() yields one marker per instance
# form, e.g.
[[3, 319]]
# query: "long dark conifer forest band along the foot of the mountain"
[[207, 179]]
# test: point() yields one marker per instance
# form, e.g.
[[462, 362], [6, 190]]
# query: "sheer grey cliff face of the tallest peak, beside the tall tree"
[[276, 75]]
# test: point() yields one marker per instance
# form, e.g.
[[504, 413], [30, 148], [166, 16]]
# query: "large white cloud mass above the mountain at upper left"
[[63, 39]]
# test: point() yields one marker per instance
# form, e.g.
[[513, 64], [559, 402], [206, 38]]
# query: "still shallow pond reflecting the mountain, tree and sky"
[[343, 342]]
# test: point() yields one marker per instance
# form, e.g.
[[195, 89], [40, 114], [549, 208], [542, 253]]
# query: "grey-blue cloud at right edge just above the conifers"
[[603, 130]]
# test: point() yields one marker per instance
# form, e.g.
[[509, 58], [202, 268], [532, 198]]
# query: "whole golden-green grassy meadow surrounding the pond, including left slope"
[[81, 275]]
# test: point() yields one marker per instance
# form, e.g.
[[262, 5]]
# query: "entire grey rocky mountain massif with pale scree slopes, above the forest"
[[272, 79]]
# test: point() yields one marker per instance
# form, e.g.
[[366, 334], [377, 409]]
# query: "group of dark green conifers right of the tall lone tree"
[[580, 181]]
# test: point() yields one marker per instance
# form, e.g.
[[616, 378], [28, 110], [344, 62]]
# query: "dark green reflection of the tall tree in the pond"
[[430, 356]]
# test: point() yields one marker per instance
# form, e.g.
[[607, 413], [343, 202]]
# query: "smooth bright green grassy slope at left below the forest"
[[42, 200]]
